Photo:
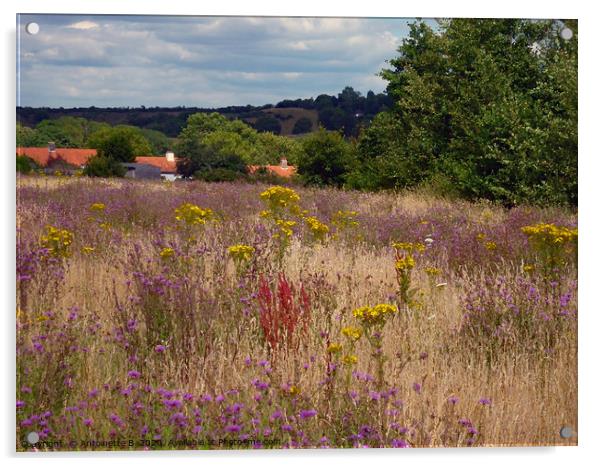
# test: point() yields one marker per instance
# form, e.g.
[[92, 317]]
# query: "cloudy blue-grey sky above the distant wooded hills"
[[121, 61]]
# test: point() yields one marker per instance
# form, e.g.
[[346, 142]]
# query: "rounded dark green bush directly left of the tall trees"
[[326, 159]]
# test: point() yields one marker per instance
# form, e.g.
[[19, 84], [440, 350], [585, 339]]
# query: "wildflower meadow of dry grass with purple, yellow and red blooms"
[[194, 315]]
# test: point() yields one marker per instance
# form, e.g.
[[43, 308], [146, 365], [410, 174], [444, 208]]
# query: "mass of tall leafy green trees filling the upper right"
[[486, 106]]
